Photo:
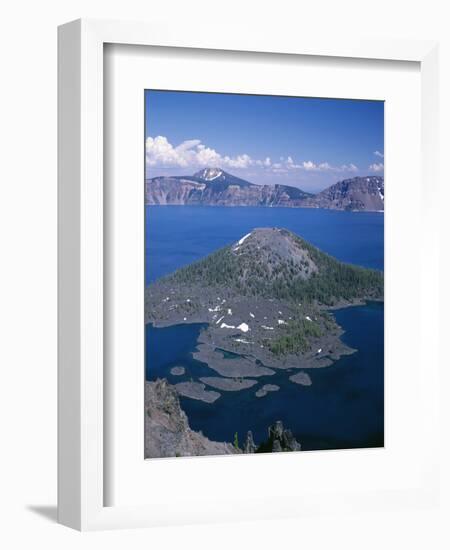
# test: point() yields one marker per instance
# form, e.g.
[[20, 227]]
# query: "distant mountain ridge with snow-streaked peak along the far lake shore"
[[215, 187]]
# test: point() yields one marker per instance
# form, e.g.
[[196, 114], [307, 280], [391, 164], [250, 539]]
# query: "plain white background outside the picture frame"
[[28, 271]]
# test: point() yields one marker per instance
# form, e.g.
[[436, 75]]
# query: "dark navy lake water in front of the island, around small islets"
[[344, 381]]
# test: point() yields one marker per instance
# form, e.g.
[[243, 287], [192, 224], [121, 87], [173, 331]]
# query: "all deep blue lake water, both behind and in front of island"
[[344, 406]]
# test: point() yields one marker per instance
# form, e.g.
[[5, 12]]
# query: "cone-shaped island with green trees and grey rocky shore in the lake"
[[265, 298]]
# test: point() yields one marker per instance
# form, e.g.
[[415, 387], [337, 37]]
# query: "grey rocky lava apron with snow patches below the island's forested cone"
[[262, 320]]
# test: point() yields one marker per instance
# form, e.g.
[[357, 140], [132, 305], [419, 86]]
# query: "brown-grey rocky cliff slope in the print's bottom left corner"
[[167, 431]]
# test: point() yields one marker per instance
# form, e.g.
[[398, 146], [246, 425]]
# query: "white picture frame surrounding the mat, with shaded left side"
[[82, 484]]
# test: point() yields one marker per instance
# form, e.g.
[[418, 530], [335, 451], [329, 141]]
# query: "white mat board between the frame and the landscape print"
[[299, 477]]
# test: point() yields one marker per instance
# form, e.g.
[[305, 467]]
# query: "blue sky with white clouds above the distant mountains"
[[306, 142]]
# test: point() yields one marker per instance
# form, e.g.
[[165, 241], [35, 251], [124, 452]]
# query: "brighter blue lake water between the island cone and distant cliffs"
[[178, 235]]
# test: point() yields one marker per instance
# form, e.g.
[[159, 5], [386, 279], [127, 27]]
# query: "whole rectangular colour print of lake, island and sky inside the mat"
[[264, 261]]
